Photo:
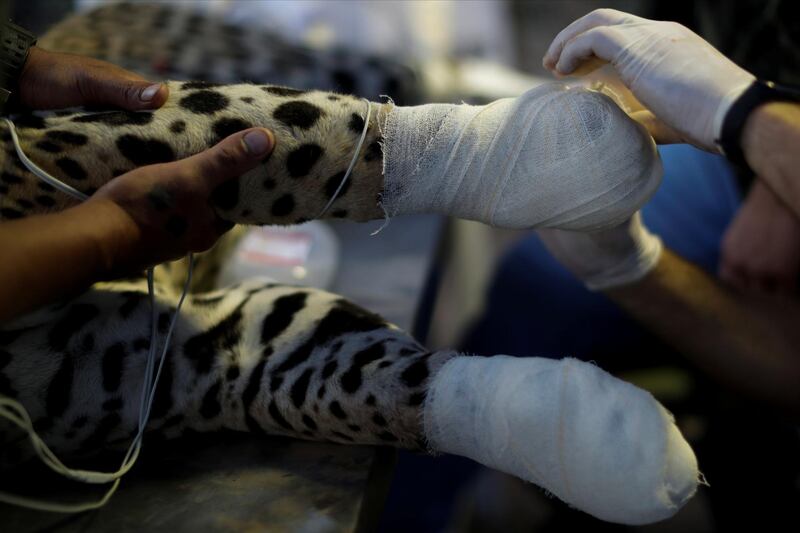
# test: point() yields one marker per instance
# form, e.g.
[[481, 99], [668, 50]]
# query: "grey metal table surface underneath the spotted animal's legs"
[[238, 482]]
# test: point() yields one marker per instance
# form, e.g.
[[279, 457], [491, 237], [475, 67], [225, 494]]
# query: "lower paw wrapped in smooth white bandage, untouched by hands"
[[598, 443]]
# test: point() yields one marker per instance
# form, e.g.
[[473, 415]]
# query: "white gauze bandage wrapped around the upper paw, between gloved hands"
[[555, 157]]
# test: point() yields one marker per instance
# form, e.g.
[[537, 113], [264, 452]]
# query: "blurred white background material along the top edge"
[[413, 30]]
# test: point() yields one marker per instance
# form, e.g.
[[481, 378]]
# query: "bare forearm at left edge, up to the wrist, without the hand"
[[52, 256]]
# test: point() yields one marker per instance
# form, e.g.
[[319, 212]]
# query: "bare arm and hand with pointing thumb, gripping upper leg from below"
[[149, 215]]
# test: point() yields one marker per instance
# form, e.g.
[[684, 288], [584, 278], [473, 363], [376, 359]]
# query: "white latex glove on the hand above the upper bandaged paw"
[[687, 83]]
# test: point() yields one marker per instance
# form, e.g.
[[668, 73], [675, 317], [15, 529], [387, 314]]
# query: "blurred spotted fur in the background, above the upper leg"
[[168, 42]]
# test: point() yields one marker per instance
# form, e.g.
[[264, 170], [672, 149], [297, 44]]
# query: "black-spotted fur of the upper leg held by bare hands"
[[316, 140]]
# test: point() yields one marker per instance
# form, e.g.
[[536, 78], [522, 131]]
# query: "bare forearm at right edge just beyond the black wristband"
[[771, 143]]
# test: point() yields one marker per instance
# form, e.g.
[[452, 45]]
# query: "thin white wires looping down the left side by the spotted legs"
[[15, 412]]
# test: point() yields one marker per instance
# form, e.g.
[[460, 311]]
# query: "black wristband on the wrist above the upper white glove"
[[760, 92]]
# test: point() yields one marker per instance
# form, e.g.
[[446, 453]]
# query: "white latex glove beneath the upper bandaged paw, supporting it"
[[607, 258]]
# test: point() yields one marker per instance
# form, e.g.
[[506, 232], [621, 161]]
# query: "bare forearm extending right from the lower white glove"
[[749, 342]]
